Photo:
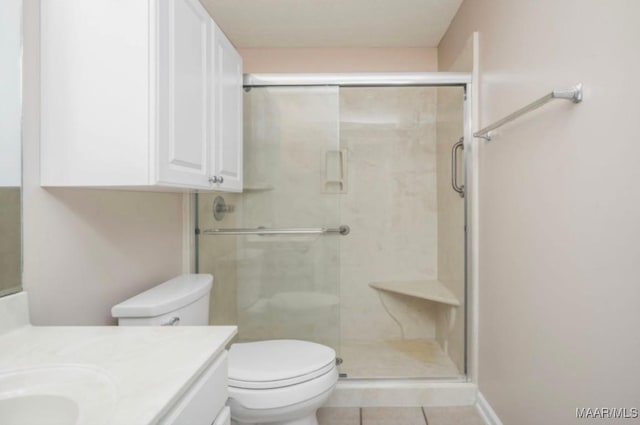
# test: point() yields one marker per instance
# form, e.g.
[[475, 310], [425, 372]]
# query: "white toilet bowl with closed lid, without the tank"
[[280, 382]]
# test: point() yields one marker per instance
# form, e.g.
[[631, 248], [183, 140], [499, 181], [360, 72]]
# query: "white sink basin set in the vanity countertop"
[[56, 395]]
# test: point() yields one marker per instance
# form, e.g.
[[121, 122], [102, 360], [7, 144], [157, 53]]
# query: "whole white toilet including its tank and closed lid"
[[274, 382]]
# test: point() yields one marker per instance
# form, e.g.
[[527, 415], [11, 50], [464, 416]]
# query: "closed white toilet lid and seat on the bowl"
[[277, 363]]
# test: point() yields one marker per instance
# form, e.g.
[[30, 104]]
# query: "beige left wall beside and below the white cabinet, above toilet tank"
[[86, 250]]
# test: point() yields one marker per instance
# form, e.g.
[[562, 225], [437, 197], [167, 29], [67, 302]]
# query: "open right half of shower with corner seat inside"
[[402, 273]]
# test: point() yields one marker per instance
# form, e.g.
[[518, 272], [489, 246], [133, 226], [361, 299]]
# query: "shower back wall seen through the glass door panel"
[[290, 131]]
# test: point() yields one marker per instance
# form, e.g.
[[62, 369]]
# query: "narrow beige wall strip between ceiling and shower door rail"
[[340, 60]]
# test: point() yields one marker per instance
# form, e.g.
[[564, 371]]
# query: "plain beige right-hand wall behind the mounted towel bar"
[[558, 206]]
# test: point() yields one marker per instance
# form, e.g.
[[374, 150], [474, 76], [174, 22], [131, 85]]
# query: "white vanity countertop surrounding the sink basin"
[[151, 367]]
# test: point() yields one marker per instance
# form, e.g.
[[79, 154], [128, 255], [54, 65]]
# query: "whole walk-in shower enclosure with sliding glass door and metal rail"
[[349, 231]]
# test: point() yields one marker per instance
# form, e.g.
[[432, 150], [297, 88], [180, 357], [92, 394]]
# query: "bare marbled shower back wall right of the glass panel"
[[391, 201]]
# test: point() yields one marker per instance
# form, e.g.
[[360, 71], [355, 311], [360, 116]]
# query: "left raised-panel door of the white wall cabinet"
[[184, 94]]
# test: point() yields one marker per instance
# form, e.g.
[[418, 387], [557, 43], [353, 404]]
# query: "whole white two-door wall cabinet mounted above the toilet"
[[138, 94]]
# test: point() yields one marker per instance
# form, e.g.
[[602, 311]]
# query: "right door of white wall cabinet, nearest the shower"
[[227, 155]]
